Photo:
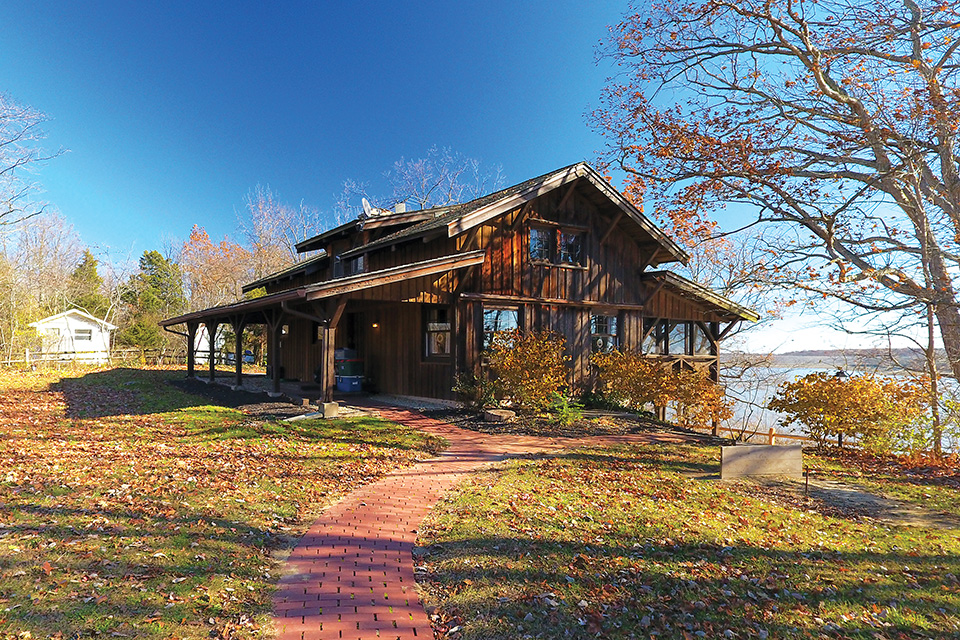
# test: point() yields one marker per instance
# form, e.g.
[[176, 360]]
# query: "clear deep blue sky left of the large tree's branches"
[[173, 111]]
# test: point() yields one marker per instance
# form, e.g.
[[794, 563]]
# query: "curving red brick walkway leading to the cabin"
[[351, 576]]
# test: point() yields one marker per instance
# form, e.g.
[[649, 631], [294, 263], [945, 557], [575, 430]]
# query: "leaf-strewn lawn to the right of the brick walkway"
[[628, 543]]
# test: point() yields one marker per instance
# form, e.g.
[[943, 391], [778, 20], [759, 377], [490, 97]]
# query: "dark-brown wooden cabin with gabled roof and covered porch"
[[411, 298]]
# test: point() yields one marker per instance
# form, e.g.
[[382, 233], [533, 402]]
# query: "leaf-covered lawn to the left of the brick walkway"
[[131, 509]]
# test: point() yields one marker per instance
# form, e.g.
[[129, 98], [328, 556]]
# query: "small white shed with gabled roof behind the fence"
[[75, 335]]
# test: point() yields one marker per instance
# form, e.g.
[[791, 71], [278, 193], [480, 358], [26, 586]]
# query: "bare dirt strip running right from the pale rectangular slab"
[[843, 500]]
